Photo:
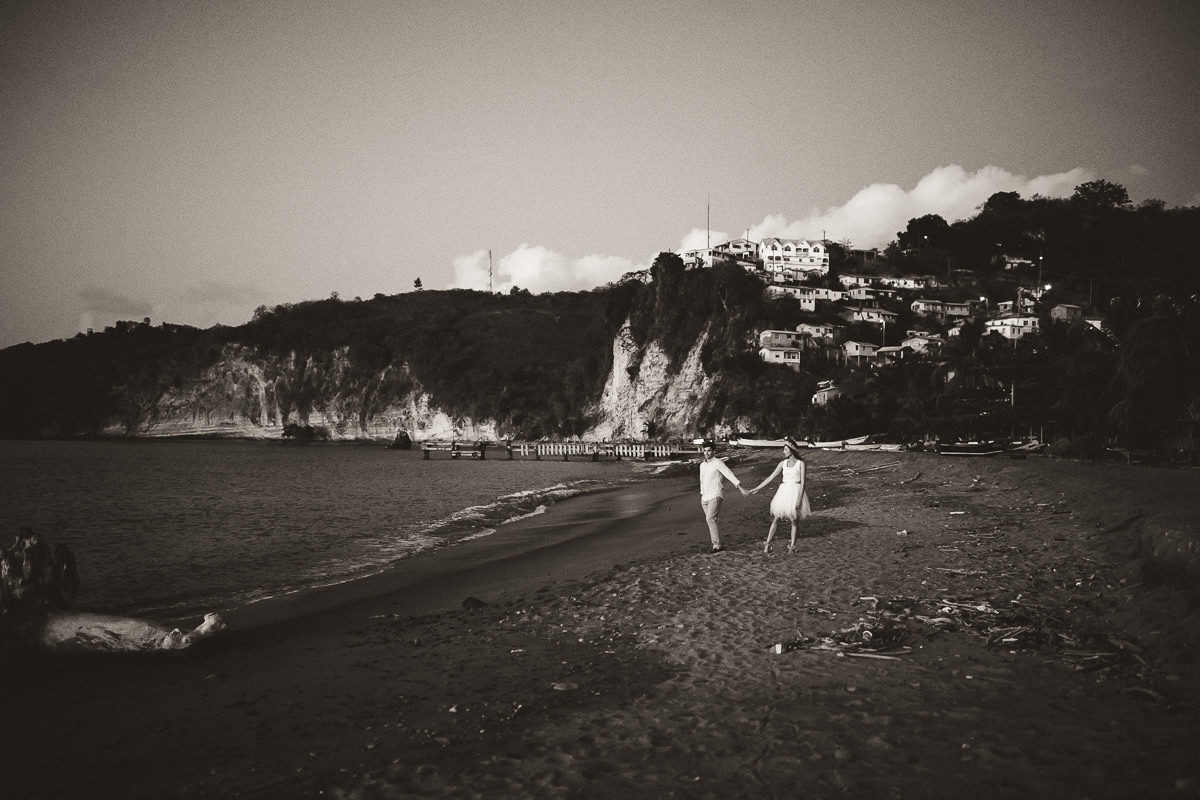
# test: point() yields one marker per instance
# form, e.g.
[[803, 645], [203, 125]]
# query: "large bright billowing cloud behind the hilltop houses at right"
[[875, 214]]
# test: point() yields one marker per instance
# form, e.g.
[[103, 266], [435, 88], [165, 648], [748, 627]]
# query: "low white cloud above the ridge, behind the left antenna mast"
[[538, 269]]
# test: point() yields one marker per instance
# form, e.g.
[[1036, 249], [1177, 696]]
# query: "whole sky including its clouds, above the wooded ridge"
[[189, 163]]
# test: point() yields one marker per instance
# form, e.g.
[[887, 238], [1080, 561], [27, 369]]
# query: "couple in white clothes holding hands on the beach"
[[791, 502]]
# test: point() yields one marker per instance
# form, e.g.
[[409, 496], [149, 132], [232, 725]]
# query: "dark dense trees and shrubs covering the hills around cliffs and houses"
[[538, 364]]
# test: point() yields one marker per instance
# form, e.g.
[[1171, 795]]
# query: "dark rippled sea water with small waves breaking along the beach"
[[171, 530]]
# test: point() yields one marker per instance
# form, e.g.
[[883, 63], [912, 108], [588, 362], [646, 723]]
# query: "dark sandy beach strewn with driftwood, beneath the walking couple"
[[1023, 640]]
